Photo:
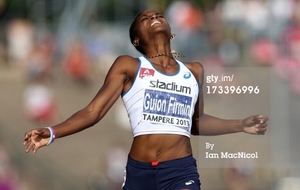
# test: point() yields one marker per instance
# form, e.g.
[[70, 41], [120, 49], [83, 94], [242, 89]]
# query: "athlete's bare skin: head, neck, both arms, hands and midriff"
[[152, 37]]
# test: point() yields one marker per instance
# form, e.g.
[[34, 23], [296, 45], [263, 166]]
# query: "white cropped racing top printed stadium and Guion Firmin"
[[159, 103]]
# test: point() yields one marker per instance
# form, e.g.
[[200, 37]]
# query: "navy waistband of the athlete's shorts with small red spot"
[[165, 164]]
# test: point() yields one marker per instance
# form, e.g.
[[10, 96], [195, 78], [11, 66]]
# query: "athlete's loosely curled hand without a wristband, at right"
[[256, 124]]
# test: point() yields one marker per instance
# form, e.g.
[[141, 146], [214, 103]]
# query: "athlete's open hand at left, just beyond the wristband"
[[36, 139]]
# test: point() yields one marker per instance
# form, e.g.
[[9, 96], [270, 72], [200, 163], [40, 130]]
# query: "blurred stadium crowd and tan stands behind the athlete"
[[54, 55]]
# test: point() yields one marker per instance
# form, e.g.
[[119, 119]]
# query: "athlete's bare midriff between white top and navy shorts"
[[160, 147]]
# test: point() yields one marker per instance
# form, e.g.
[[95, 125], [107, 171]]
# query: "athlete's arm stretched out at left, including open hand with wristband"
[[88, 116]]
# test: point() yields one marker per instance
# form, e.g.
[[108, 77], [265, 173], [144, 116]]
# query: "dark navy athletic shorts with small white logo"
[[175, 174]]
